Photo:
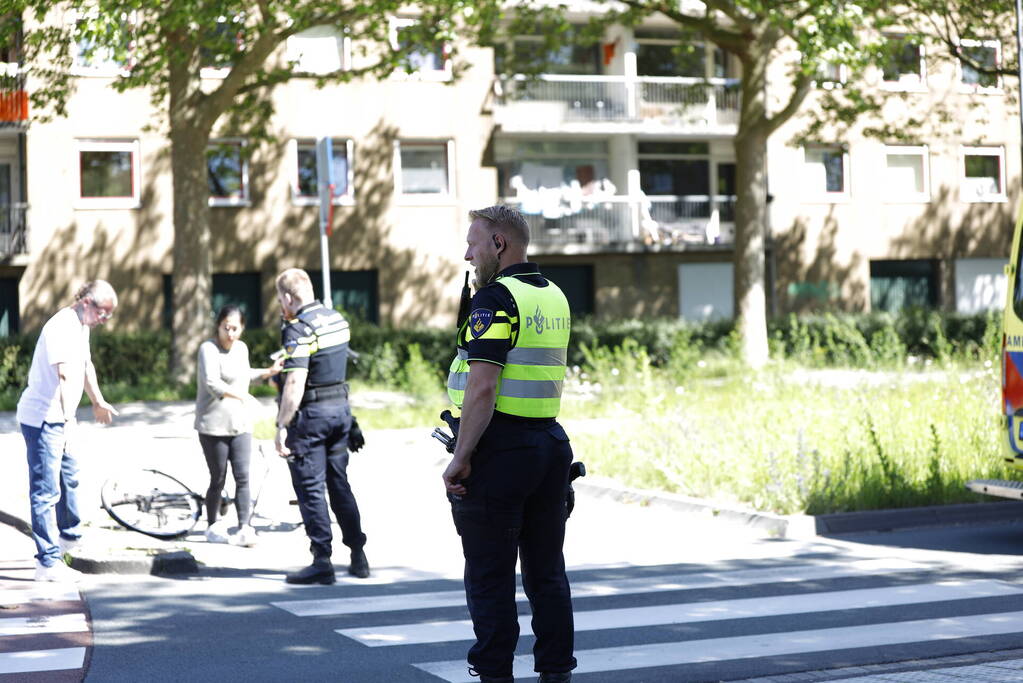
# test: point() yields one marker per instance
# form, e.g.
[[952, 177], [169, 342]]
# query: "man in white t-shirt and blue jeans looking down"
[[62, 369]]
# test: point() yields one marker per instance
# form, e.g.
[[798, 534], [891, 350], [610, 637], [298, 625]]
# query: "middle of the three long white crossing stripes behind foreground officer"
[[435, 632]]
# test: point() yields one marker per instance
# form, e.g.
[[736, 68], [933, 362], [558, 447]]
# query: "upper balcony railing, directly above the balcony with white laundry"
[[583, 104]]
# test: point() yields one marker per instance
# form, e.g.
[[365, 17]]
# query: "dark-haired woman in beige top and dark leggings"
[[224, 420]]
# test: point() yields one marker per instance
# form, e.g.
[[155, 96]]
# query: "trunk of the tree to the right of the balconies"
[[751, 215]]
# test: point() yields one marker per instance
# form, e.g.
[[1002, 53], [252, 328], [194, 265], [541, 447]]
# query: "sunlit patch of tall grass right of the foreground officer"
[[914, 438]]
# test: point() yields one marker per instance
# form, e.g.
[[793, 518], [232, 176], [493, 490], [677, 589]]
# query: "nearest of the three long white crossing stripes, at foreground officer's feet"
[[765, 646]]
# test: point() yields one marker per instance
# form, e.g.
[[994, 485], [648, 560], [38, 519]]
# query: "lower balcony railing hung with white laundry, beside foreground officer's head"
[[617, 224]]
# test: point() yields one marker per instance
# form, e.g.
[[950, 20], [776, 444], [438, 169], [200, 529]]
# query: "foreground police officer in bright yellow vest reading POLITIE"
[[509, 478]]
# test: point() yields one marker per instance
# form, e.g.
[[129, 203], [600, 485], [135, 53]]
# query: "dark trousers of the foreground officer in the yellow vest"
[[515, 506]]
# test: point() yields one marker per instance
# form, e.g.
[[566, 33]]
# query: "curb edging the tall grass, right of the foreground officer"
[[808, 526]]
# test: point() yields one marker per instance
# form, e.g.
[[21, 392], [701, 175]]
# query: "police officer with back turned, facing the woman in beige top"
[[314, 425]]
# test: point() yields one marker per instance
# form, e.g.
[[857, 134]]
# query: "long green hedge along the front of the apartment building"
[[142, 359]]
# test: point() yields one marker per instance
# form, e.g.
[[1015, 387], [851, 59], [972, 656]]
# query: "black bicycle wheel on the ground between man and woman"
[[151, 503]]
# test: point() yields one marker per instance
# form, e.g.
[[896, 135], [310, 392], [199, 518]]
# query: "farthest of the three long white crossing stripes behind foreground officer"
[[610, 587]]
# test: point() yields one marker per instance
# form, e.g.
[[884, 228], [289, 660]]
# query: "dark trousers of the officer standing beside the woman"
[[319, 439]]
